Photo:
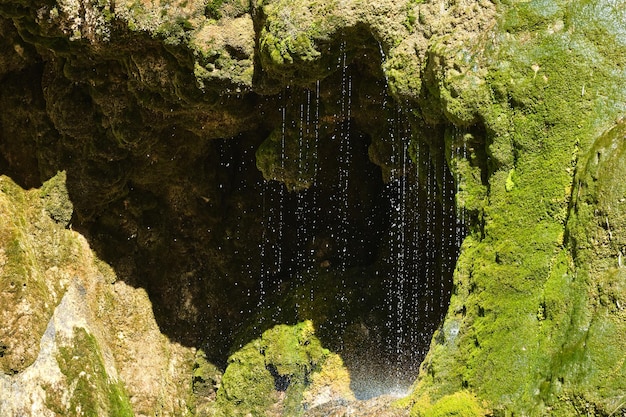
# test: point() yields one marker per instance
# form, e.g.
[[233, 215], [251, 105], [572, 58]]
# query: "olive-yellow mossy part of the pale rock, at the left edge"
[[37, 259]]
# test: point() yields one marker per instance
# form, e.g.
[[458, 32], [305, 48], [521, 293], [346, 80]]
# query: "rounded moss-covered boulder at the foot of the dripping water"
[[283, 363]]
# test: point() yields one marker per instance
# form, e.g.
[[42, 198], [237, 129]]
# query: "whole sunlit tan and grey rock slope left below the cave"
[[75, 341]]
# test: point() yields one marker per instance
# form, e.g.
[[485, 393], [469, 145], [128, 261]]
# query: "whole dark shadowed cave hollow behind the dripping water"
[[328, 206]]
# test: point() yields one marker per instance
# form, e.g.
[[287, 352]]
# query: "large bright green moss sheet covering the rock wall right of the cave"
[[523, 296]]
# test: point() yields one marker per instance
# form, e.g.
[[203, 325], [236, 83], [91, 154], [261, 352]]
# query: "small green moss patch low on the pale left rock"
[[93, 392]]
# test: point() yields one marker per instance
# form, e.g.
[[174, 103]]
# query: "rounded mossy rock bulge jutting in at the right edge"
[[588, 372]]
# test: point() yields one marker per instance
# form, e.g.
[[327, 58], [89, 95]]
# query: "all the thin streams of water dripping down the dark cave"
[[425, 228]]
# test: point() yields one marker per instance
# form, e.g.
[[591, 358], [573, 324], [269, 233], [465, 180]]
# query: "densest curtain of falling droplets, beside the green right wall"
[[425, 233]]
